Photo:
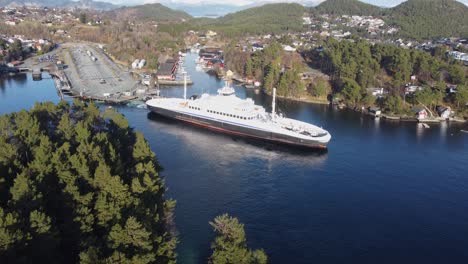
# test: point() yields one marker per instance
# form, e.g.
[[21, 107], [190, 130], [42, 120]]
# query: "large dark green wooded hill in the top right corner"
[[425, 19]]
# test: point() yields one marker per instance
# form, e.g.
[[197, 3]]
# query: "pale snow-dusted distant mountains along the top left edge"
[[83, 4]]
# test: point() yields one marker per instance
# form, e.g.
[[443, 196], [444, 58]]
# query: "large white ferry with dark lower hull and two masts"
[[229, 114]]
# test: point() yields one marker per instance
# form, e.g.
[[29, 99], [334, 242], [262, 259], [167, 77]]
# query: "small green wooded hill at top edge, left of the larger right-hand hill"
[[347, 7]]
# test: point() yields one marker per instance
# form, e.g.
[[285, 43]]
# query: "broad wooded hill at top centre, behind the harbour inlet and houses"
[[271, 18]]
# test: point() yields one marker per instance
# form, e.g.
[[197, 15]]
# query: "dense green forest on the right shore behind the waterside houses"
[[354, 66]]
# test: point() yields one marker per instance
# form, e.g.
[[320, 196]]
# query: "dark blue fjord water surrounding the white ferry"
[[384, 192]]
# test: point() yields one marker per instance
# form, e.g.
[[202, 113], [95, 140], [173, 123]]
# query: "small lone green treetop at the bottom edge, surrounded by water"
[[230, 244]]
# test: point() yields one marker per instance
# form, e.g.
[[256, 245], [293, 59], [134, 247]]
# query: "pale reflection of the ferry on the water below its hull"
[[233, 147]]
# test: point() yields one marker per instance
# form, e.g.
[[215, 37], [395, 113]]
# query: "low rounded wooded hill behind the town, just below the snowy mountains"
[[156, 12]]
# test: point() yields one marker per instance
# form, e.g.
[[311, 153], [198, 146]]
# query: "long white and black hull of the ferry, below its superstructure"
[[280, 130]]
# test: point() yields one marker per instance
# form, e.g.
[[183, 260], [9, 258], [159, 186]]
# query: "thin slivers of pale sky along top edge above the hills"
[[386, 3]]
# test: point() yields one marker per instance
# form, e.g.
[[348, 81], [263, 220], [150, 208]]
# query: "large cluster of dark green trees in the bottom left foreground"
[[78, 187]]
